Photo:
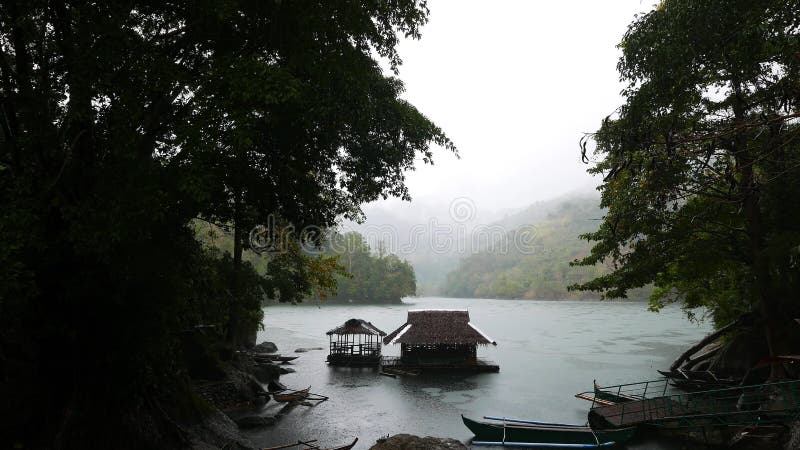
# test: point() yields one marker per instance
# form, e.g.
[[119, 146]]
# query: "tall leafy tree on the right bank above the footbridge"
[[701, 163]]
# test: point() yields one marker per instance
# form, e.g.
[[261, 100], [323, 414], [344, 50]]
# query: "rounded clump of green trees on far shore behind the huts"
[[368, 278]]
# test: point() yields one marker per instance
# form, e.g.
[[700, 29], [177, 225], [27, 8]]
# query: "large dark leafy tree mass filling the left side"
[[122, 123]]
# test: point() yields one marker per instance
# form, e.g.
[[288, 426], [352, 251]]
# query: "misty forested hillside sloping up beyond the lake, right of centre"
[[532, 261]]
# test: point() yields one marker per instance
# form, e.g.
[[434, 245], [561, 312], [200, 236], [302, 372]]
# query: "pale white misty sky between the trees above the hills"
[[514, 84]]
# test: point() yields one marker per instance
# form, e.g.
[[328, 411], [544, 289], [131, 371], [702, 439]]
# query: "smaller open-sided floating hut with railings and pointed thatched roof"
[[355, 343]]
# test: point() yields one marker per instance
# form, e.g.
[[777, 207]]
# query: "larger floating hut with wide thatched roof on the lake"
[[439, 340]]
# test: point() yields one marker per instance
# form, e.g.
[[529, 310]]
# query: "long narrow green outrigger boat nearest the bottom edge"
[[521, 433]]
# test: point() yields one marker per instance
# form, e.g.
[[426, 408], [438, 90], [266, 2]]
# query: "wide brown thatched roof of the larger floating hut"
[[438, 326]]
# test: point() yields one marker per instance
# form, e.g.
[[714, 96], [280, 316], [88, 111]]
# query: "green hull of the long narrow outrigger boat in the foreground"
[[546, 434]]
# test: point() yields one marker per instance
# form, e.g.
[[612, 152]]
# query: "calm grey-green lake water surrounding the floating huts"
[[547, 352]]
